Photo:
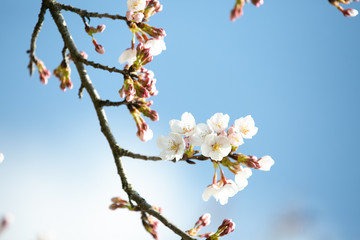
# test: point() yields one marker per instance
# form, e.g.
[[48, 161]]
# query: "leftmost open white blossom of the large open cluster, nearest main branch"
[[173, 146]]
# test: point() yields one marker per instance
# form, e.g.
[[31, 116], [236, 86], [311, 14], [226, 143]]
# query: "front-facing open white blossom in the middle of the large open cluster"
[[215, 147]]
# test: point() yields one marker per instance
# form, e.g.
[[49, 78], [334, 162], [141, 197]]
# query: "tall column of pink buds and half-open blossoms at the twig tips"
[[140, 83]]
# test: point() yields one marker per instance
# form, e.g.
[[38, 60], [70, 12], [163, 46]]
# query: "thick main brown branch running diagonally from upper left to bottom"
[[105, 128]]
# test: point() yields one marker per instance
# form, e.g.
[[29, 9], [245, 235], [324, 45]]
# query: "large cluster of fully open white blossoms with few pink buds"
[[217, 142]]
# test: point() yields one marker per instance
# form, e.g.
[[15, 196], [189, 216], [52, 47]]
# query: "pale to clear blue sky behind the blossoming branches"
[[292, 65]]
